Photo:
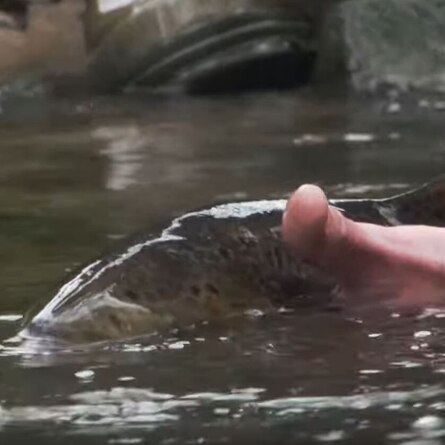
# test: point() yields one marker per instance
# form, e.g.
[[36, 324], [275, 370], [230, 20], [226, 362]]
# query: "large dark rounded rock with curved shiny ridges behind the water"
[[204, 46]]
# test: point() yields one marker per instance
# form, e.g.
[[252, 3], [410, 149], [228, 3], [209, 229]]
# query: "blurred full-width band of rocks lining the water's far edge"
[[218, 46]]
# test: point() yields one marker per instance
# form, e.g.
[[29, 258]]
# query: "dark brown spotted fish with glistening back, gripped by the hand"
[[206, 265]]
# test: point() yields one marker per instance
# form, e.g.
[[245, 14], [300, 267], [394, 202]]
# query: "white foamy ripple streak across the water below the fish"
[[120, 408]]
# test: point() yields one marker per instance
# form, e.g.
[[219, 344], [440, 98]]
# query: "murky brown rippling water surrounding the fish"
[[77, 175]]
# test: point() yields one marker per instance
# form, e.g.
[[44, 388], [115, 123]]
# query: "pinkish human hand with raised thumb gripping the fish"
[[403, 264]]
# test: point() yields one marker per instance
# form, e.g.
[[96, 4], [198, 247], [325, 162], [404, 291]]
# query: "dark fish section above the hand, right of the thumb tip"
[[423, 205]]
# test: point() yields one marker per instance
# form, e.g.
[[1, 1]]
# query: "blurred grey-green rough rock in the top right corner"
[[378, 43]]
